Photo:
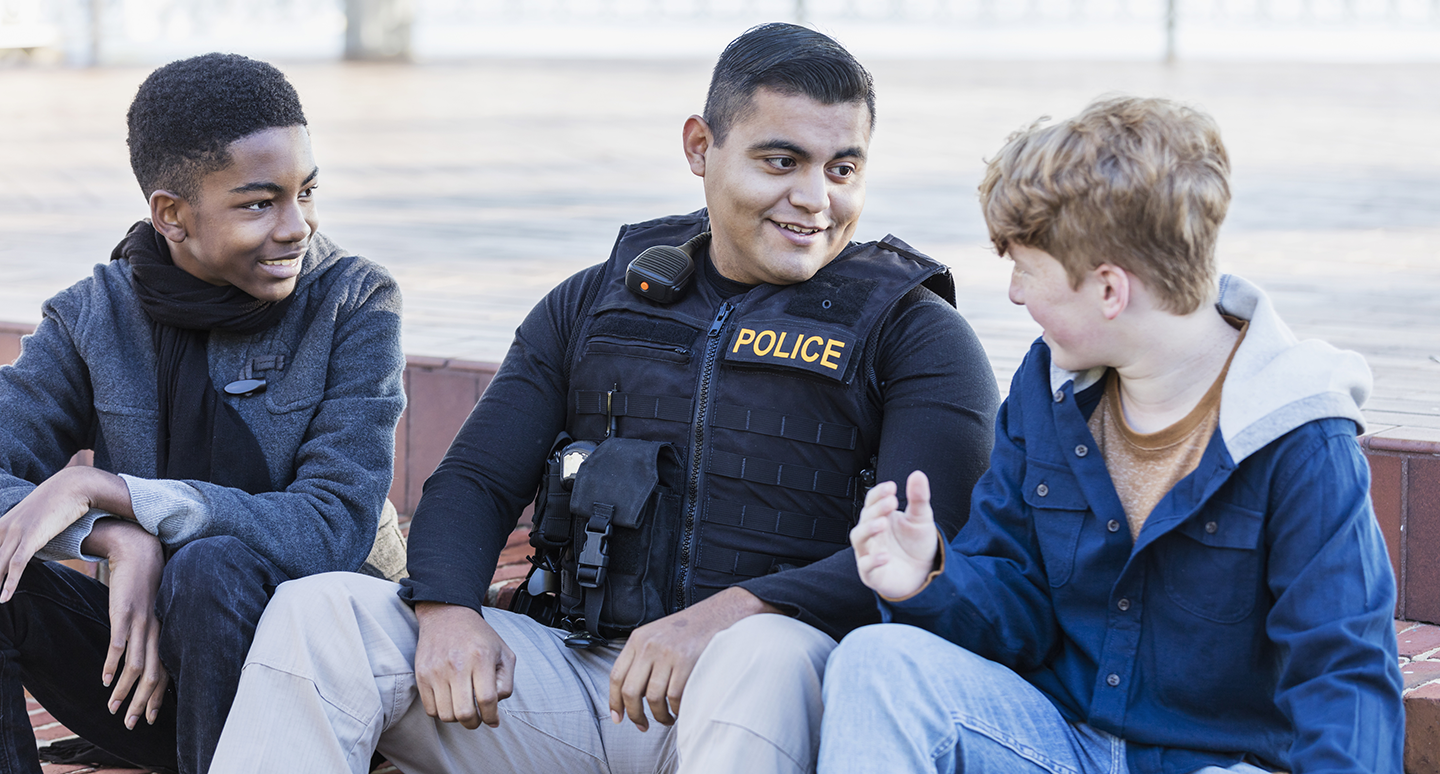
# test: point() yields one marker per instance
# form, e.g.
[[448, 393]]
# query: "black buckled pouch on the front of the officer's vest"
[[626, 507]]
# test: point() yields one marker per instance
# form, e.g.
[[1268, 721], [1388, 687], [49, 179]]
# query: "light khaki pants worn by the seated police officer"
[[330, 680]]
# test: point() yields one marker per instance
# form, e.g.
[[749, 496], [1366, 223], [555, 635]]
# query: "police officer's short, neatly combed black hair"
[[790, 60]]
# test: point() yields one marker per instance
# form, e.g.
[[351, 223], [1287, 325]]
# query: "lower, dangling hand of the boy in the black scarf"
[[136, 565]]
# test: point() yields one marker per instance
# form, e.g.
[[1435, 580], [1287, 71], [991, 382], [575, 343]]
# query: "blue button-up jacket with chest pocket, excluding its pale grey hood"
[[1252, 619]]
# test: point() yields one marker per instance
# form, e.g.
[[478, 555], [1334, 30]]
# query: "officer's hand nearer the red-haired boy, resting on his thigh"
[[659, 658]]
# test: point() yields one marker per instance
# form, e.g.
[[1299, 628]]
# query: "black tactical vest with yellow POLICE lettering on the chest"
[[768, 398]]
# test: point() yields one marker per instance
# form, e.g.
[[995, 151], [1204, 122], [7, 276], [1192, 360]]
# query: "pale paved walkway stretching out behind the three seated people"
[[480, 186]]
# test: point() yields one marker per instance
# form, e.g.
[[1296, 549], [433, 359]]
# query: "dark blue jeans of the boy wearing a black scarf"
[[55, 631]]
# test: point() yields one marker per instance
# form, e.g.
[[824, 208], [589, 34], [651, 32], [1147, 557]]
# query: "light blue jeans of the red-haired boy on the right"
[[899, 698]]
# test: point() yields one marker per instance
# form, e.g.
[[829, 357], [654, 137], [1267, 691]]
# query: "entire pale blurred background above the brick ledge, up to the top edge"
[[483, 150]]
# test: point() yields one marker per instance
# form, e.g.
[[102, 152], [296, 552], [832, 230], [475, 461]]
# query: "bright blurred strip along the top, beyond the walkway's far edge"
[[116, 32]]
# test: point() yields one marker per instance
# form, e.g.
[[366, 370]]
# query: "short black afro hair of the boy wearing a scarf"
[[188, 113]]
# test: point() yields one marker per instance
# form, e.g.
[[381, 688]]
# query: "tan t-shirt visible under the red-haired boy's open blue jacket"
[[1144, 467]]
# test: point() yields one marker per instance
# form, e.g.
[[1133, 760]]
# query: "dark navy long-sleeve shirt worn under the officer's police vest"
[[932, 379]]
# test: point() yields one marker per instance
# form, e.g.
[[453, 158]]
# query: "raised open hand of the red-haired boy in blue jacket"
[[895, 550]]
